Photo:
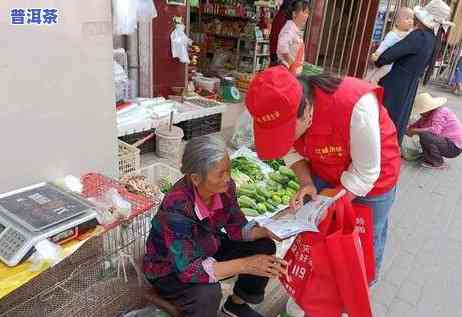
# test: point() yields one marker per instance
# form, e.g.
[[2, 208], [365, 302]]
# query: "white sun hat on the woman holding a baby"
[[434, 14]]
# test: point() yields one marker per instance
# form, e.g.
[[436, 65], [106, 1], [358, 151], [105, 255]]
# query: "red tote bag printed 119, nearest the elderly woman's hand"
[[311, 281]]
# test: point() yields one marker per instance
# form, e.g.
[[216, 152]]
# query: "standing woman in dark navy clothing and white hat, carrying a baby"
[[410, 57]]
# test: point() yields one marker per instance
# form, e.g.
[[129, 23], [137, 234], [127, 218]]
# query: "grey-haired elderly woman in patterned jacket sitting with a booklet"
[[188, 251]]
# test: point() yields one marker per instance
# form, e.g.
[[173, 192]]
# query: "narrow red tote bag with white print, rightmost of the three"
[[365, 227]]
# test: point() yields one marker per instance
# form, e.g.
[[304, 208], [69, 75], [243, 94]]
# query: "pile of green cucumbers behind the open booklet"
[[259, 194]]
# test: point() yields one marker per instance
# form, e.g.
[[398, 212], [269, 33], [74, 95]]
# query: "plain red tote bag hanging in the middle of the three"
[[347, 259]]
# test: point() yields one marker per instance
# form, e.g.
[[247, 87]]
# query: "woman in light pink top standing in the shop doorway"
[[291, 48]]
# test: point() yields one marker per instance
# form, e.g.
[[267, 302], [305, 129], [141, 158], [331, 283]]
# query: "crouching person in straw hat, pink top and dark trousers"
[[439, 130]]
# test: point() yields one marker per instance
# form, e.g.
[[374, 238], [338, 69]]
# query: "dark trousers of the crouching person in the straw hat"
[[435, 148]]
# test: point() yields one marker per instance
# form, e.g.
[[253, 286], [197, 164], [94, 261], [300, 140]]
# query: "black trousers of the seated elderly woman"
[[203, 300]]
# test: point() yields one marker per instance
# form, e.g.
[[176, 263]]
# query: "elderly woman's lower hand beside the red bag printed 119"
[[264, 265]]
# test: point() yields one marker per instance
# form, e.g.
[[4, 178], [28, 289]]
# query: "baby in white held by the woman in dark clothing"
[[403, 25]]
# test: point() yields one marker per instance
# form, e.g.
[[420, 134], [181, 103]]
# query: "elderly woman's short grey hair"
[[203, 153]]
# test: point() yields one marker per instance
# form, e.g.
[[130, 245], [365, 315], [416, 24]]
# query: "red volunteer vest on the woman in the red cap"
[[326, 144]]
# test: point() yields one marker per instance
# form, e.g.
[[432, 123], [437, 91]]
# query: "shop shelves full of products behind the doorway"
[[233, 35]]
